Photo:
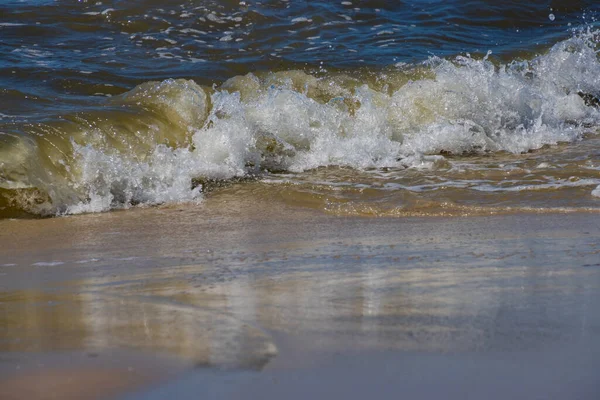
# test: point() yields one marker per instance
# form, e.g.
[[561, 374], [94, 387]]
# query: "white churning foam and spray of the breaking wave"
[[465, 105]]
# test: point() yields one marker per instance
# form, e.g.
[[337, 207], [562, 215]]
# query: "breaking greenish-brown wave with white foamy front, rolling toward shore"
[[159, 142]]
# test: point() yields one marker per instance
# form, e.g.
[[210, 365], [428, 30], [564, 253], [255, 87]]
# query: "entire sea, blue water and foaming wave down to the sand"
[[367, 107]]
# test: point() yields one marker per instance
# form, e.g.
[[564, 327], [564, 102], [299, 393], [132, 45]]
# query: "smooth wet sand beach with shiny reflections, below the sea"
[[242, 298]]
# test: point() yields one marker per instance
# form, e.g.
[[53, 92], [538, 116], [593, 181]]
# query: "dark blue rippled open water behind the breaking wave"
[[62, 51]]
